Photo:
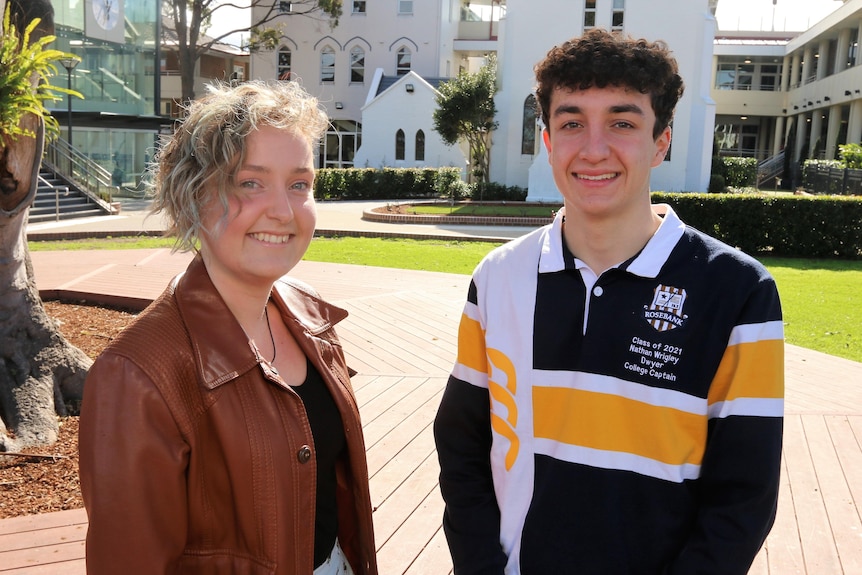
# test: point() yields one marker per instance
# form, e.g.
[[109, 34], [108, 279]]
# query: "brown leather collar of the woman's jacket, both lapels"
[[221, 349]]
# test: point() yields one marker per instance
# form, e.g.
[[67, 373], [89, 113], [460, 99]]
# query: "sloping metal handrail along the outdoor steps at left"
[[93, 180]]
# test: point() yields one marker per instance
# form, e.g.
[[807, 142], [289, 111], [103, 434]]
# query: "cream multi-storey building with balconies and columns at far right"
[[796, 94]]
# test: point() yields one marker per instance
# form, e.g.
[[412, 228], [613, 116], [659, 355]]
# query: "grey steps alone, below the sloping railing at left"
[[56, 200]]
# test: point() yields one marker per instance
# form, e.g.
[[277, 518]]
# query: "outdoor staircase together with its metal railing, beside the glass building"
[[80, 190]]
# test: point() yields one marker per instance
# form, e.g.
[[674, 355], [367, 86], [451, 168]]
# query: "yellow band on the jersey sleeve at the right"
[[750, 370]]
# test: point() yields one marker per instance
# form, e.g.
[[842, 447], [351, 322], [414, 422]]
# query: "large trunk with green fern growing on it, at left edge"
[[41, 374]]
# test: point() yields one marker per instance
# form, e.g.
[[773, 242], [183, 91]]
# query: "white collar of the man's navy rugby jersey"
[[647, 263]]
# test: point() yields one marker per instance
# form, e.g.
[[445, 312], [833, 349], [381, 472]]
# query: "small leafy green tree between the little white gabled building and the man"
[[466, 109]]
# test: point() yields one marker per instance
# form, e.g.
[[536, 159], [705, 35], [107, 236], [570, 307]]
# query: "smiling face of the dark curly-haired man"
[[601, 149]]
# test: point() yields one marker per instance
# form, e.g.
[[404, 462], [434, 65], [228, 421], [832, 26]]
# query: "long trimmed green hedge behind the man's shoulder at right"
[[793, 226]]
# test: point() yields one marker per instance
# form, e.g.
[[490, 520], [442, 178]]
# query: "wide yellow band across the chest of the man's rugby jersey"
[[612, 423]]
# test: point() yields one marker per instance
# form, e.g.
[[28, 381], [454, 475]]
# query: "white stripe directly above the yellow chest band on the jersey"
[[613, 386]]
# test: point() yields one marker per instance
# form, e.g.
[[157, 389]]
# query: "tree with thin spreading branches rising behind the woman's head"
[[189, 20]]
